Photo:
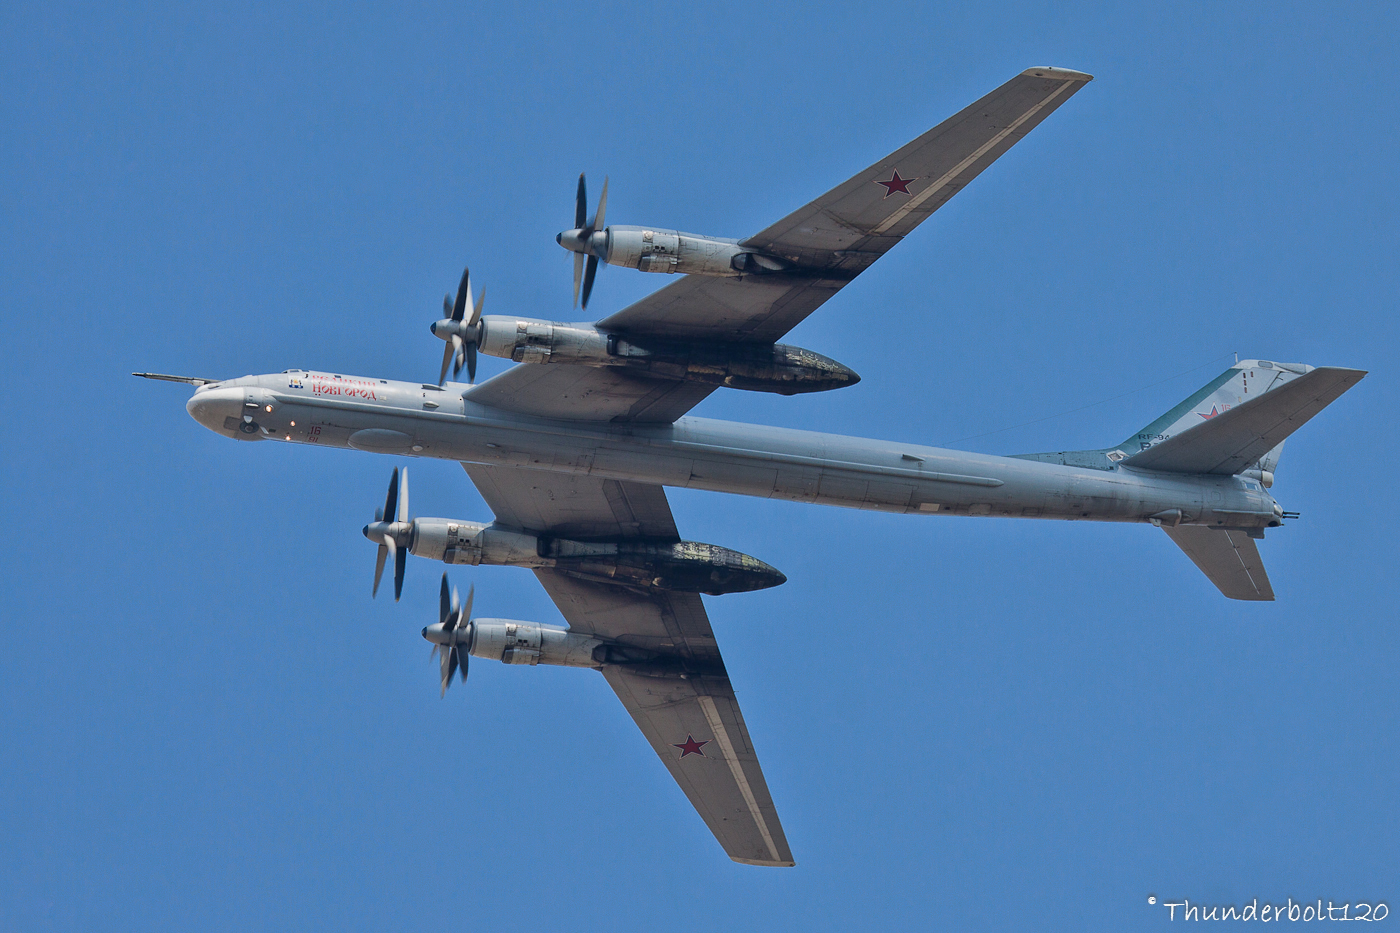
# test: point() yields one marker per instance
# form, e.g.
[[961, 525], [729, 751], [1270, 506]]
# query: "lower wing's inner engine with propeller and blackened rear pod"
[[684, 567]]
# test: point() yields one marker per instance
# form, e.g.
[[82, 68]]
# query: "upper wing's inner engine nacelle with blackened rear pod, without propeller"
[[757, 368]]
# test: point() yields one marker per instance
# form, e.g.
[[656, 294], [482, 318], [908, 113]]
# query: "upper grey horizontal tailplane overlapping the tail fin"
[[1233, 441]]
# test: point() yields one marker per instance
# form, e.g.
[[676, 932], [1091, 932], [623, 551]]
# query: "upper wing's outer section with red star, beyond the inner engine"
[[842, 233]]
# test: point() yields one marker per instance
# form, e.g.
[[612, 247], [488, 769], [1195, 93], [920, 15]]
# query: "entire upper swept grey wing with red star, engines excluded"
[[828, 243]]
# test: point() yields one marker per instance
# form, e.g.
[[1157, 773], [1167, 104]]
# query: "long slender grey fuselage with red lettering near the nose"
[[751, 460]]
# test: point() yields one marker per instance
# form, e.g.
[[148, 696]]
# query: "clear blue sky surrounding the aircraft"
[[981, 725]]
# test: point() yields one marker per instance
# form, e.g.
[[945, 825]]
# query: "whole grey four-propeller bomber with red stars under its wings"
[[572, 452]]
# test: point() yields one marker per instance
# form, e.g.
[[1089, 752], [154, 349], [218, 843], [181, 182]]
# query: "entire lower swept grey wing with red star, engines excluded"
[[687, 707]]
